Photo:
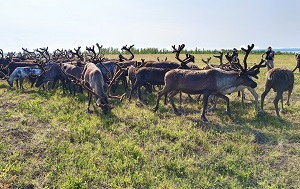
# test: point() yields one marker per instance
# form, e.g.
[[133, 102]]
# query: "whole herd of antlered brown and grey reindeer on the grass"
[[101, 76]]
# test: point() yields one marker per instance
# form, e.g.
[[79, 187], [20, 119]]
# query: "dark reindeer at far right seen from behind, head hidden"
[[280, 80]]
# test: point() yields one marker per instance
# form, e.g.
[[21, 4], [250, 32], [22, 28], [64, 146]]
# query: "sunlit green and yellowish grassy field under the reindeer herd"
[[47, 140]]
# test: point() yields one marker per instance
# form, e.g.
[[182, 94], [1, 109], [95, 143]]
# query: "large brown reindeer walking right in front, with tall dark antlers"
[[207, 82]]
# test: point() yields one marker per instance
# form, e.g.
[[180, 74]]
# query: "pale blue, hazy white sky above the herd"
[[208, 24]]
